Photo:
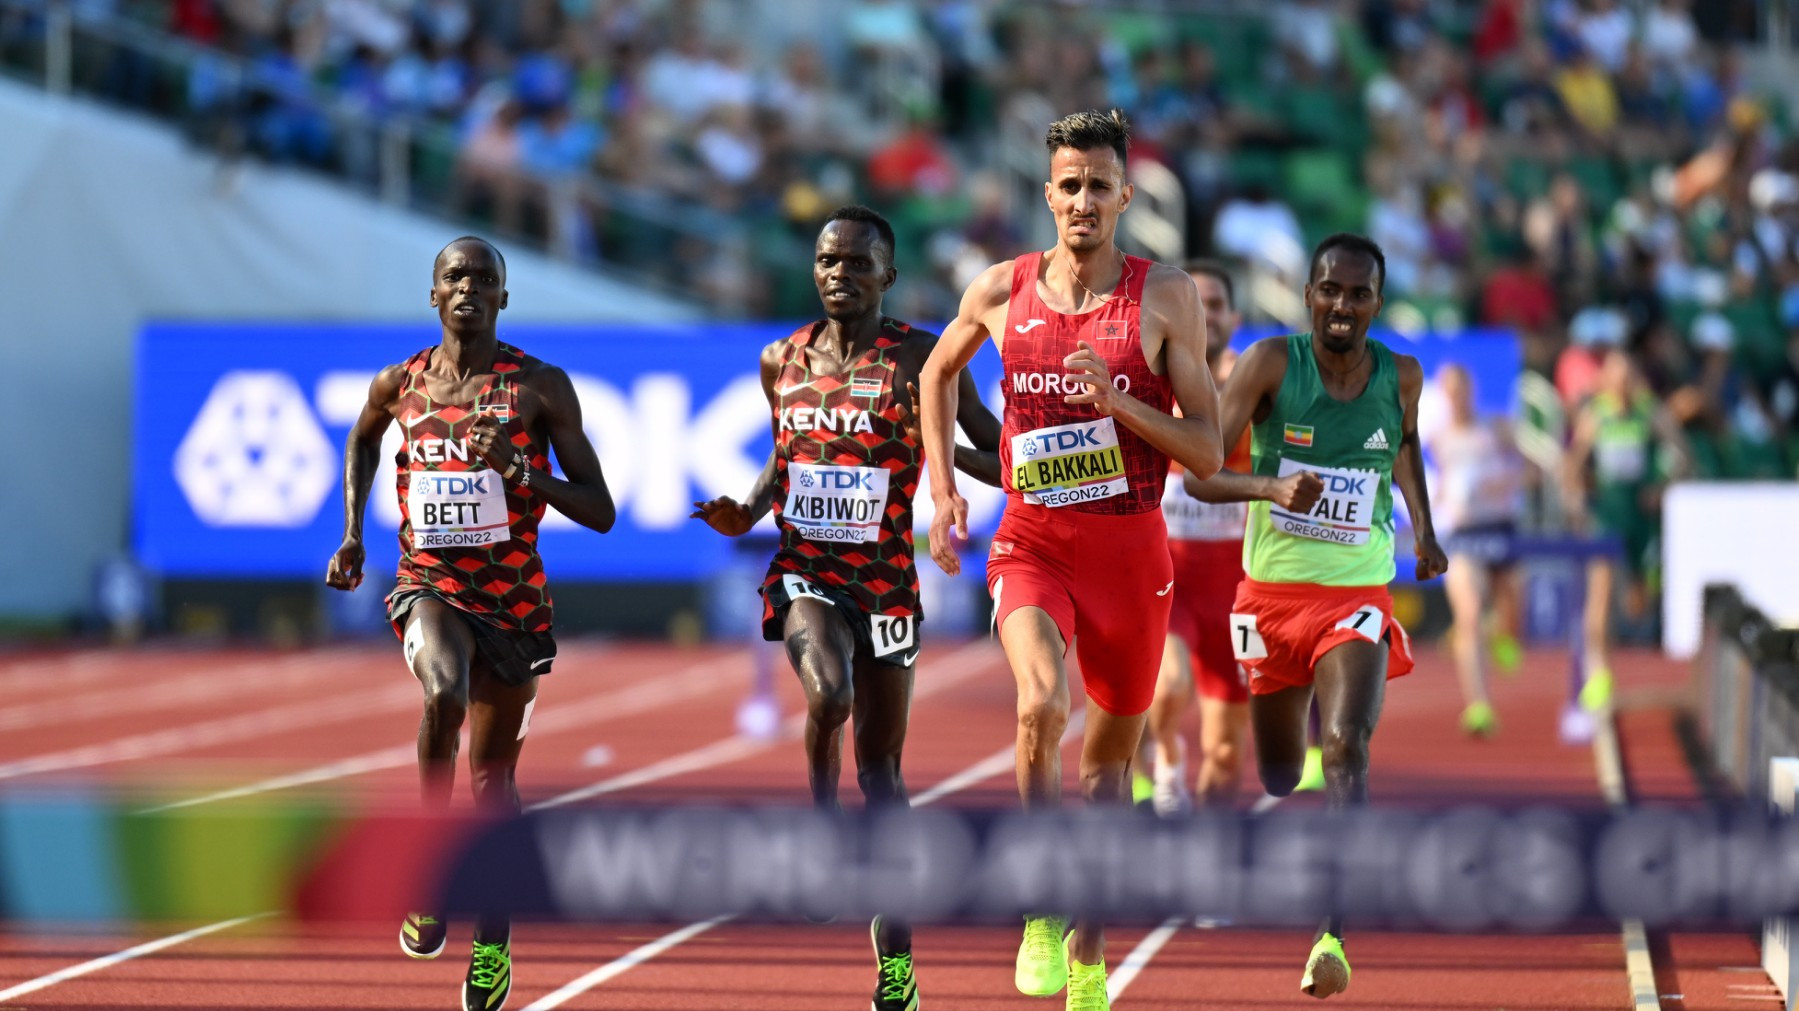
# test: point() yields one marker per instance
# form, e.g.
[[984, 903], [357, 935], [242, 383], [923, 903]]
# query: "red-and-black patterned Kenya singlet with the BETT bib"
[[451, 503]]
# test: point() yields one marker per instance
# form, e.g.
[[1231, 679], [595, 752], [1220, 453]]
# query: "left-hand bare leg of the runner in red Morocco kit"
[[1035, 652]]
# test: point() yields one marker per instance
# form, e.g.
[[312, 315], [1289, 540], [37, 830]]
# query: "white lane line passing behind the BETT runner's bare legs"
[[645, 697]]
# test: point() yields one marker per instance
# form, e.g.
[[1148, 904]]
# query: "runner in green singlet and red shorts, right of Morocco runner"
[[1314, 613]]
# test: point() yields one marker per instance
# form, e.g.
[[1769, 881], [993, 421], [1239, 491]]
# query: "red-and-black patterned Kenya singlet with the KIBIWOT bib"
[[846, 474]]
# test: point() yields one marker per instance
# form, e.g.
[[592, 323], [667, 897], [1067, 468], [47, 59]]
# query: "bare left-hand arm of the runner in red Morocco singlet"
[[980, 318]]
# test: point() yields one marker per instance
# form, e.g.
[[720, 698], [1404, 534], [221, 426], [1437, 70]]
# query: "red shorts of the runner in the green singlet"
[[1282, 631]]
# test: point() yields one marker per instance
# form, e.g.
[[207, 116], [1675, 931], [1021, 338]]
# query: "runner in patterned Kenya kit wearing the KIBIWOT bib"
[[843, 589]]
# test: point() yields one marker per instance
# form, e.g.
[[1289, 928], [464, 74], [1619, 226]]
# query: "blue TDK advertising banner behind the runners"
[[240, 436]]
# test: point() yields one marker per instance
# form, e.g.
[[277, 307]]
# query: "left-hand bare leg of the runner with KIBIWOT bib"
[[821, 647]]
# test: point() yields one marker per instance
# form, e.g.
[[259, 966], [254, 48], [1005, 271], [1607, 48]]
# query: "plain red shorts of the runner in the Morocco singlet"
[[1107, 584]]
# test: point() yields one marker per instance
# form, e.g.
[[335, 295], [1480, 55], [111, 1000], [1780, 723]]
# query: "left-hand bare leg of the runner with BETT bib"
[[440, 649]]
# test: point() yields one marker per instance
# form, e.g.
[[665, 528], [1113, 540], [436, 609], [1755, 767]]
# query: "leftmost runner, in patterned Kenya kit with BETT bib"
[[472, 607]]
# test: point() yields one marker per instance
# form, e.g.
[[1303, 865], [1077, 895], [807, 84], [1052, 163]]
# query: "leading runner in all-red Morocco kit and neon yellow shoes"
[[1098, 348]]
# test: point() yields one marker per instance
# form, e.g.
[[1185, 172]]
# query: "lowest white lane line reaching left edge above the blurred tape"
[[211, 733]]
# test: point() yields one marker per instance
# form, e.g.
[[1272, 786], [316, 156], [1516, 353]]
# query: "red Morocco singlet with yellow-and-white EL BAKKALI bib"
[[1066, 456]]
